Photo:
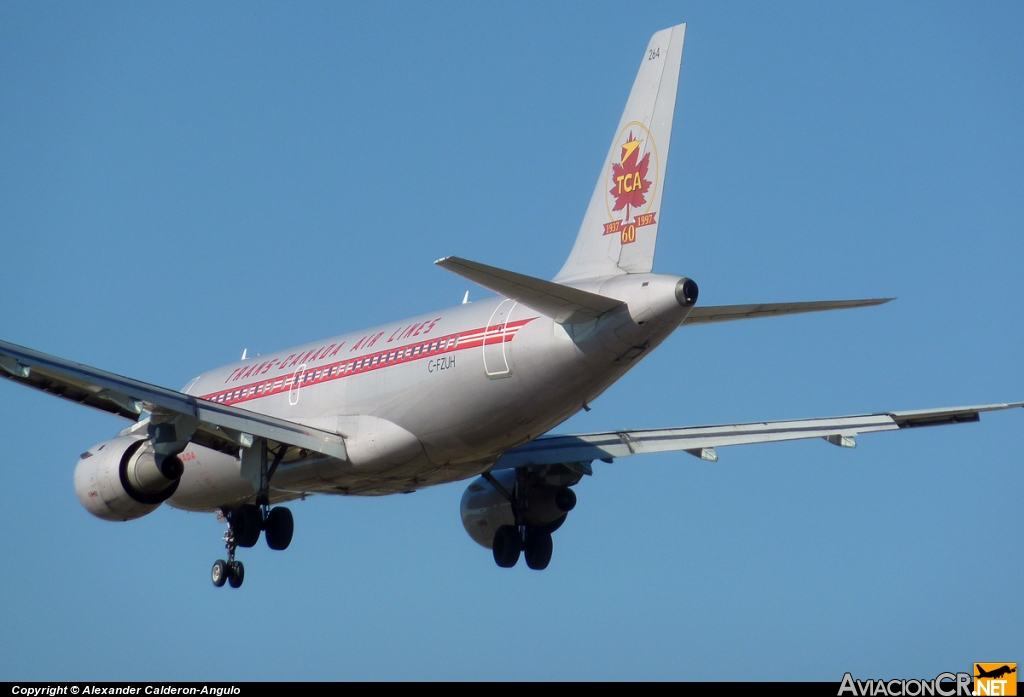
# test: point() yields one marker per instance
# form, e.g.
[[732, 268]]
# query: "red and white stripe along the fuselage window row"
[[371, 362]]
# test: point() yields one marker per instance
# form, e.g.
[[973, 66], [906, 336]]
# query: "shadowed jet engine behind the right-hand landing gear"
[[485, 509]]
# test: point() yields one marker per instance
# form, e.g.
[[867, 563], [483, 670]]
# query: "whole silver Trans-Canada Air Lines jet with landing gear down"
[[468, 393]]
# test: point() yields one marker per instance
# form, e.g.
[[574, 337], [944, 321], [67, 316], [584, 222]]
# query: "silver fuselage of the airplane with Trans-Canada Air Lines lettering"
[[436, 399]]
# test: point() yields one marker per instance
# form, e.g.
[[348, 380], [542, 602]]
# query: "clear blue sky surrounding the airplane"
[[182, 182]]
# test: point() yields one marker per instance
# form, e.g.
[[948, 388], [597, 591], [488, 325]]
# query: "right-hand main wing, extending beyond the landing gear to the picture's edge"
[[702, 441]]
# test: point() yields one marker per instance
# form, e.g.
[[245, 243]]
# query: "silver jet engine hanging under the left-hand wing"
[[119, 480]]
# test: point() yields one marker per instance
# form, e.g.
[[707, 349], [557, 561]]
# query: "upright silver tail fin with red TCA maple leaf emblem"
[[620, 230]]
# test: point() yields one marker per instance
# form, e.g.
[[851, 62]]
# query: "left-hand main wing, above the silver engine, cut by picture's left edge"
[[224, 428]]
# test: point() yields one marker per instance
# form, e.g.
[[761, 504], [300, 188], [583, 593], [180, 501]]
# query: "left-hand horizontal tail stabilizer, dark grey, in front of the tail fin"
[[567, 306]]
